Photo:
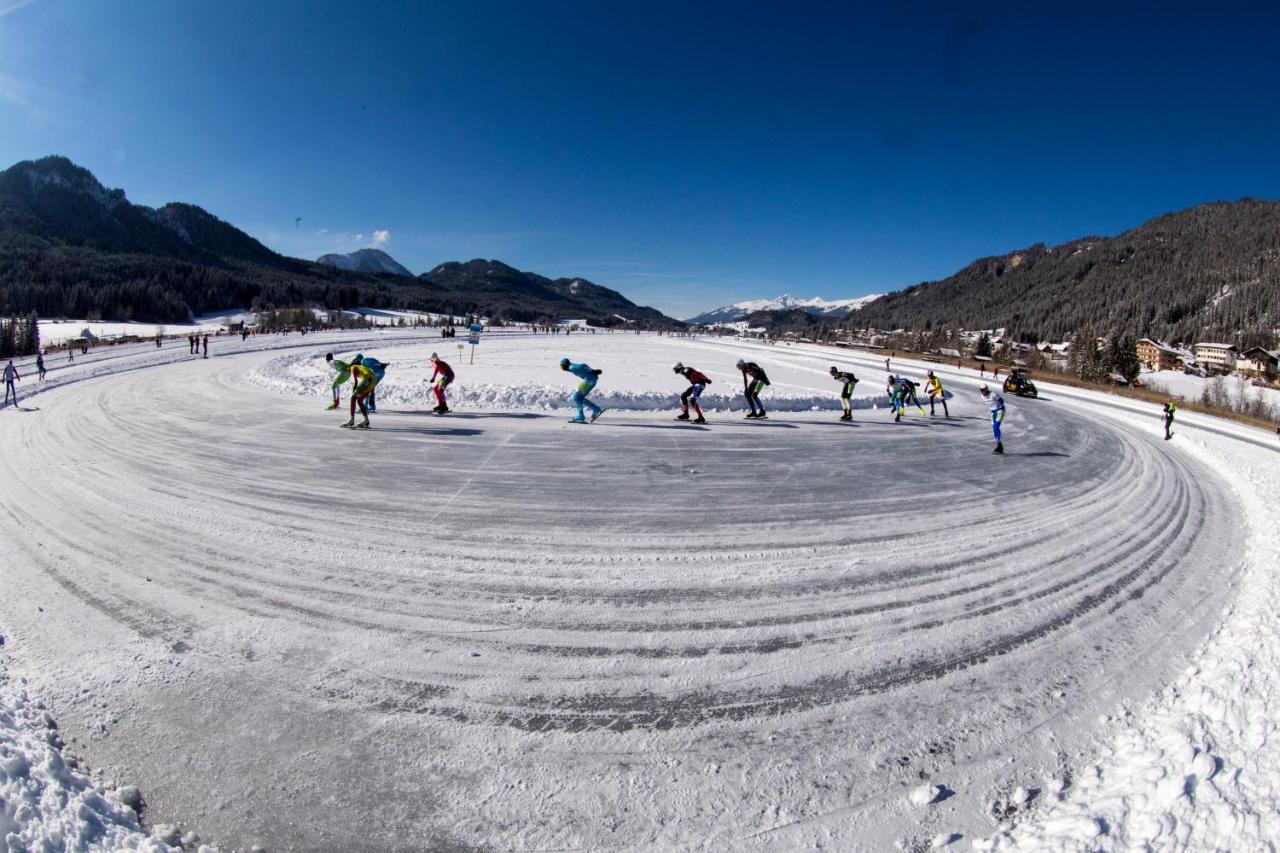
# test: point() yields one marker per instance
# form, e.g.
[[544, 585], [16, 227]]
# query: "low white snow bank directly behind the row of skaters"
[[496, 384]]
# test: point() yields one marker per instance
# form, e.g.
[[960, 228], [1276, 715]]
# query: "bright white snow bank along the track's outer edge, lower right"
[[1197, 768]]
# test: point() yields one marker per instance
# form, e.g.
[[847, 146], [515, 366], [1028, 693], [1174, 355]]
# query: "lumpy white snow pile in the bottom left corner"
[[45, 805]]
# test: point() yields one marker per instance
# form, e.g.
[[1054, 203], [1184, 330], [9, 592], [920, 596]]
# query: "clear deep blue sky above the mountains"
[[688, 154]]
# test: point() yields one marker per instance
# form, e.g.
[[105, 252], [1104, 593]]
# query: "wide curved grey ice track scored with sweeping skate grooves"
[[582, 633]]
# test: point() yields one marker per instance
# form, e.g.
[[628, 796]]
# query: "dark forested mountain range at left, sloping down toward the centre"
[[72, 248]]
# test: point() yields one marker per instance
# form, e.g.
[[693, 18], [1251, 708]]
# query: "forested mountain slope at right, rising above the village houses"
[[1206, 273]]
